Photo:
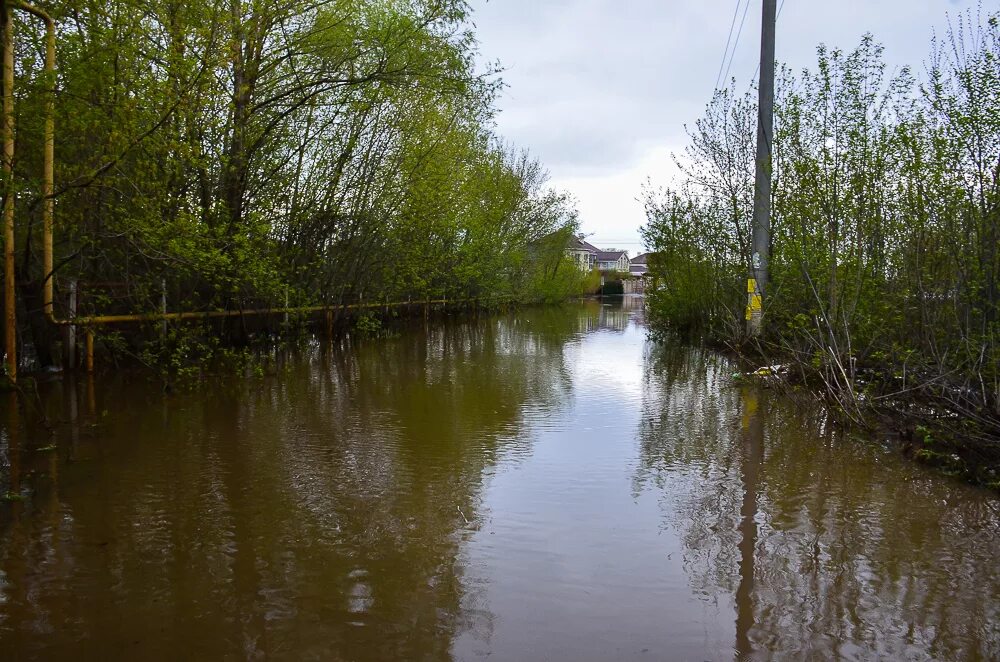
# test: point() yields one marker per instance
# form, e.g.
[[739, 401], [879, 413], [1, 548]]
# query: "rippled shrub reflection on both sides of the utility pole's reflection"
[[856, 553]]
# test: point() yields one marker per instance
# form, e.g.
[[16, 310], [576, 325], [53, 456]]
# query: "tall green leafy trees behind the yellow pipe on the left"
[[249, 152]]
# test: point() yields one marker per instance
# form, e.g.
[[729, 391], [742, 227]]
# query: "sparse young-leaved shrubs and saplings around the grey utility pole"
[[885, 228]]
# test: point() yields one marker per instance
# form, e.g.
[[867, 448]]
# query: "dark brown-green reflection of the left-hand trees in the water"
[[318, 513]]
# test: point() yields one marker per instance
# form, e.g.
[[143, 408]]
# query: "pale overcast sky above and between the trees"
[[600, 90]]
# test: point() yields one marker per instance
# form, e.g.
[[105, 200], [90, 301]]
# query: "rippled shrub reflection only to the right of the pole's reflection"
[[896, 561]]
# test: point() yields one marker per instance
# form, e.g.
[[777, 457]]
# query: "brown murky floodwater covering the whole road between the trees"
[[538, 485]]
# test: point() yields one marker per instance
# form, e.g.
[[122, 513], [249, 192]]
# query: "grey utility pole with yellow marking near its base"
[[760, 250]]
